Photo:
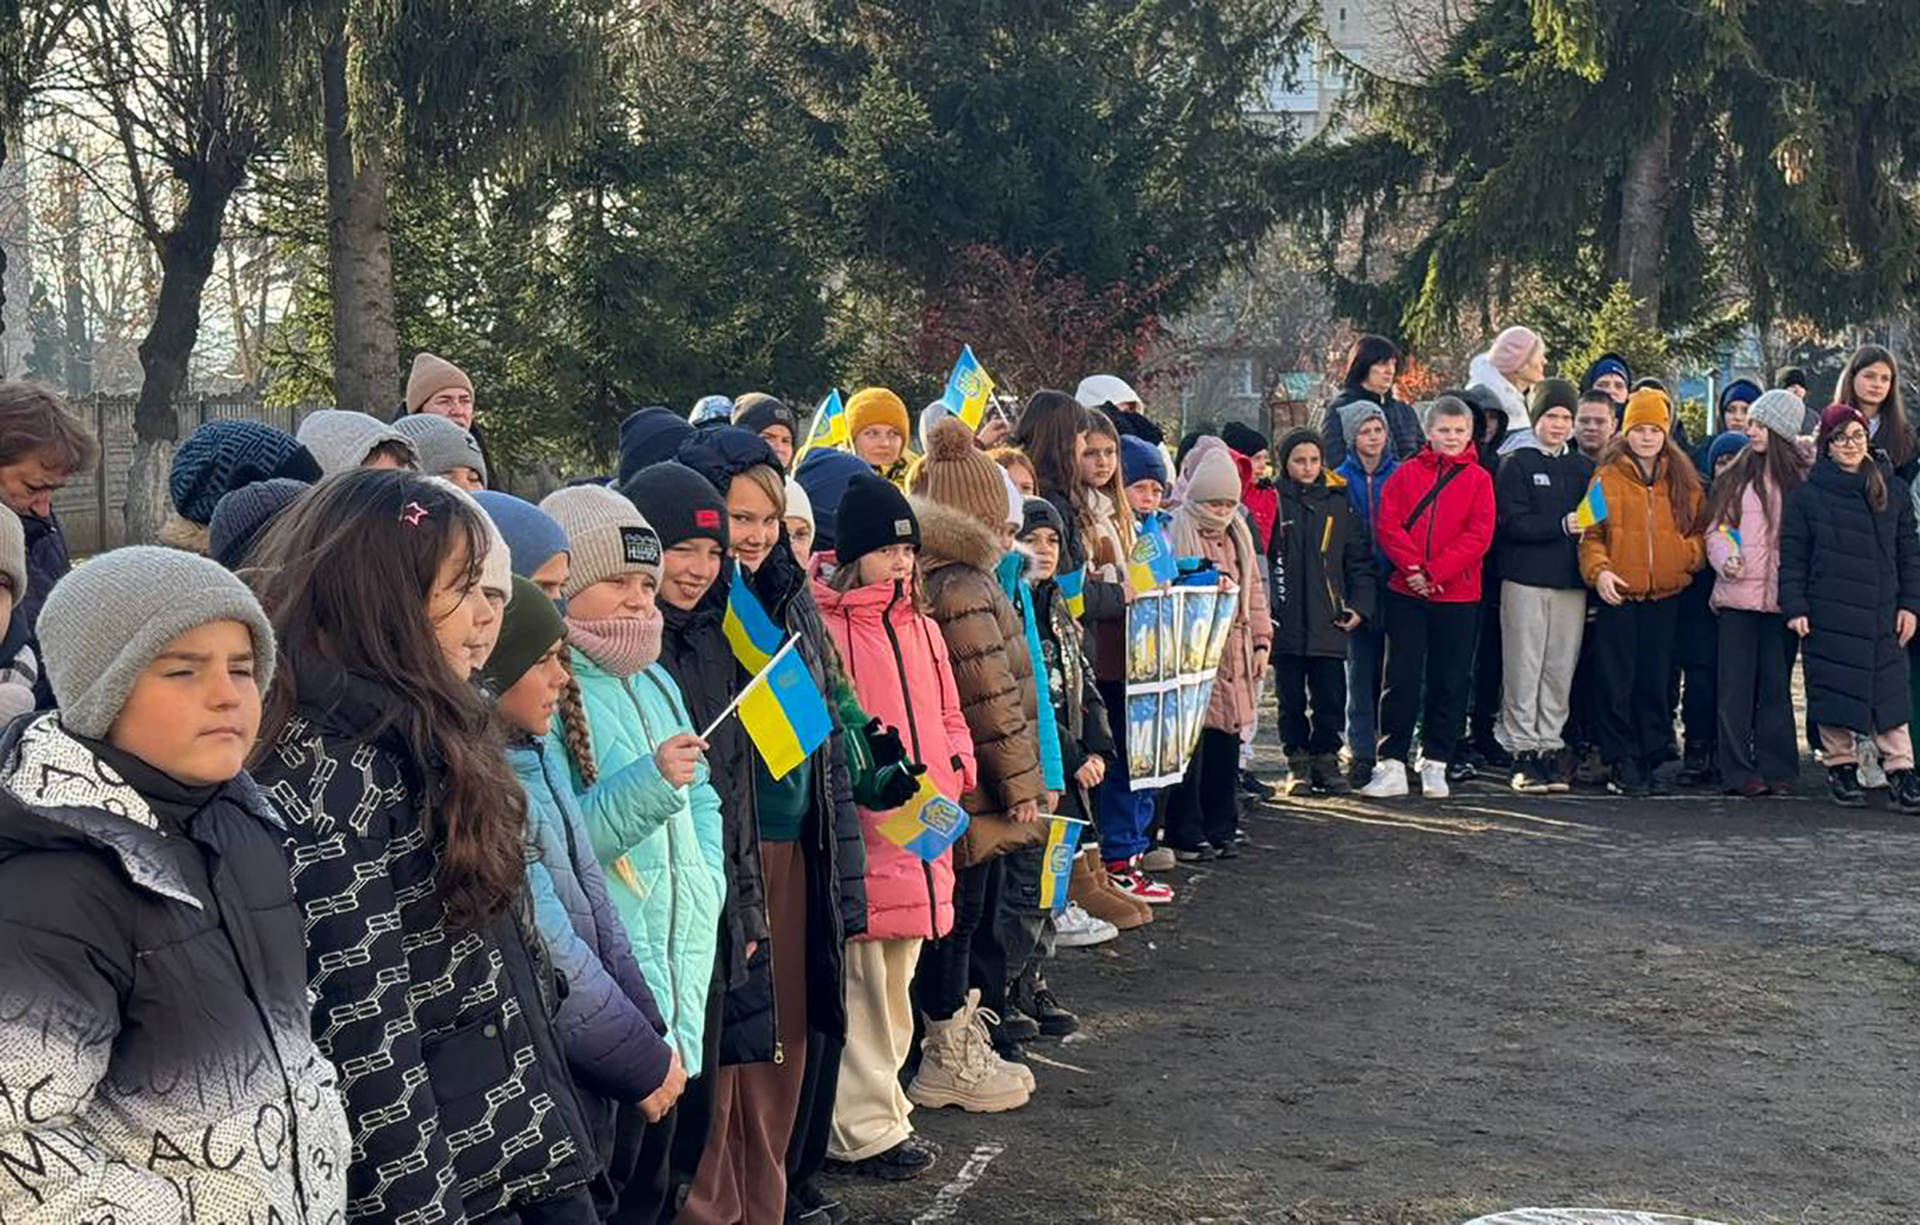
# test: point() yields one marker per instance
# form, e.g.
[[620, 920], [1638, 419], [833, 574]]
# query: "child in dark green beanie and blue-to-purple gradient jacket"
[[610, 1021]]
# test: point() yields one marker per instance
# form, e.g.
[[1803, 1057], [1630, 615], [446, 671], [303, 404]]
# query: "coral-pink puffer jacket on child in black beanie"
[[898, 665]]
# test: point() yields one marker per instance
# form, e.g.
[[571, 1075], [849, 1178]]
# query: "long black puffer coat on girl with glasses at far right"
[[1848, 569]]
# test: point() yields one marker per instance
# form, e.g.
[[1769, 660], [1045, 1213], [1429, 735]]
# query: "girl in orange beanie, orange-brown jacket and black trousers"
[[1641, 558]]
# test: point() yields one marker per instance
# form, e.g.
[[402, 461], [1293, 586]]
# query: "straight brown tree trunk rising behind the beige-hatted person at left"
[[360, 262]]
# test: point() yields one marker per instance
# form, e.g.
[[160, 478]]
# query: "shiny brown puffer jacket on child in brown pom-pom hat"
[[988, 650]]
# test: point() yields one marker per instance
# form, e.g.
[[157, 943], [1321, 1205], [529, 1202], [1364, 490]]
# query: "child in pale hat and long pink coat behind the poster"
[[1209, 525]]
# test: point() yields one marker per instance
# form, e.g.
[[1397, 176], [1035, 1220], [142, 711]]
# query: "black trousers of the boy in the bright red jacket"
[[1429, 673]]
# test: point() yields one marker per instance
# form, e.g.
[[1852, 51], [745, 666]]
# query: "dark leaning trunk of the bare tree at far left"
[[185, 266]]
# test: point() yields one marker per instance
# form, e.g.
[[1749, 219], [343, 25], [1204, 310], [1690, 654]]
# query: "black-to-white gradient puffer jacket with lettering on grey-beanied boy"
[[155, 1034]]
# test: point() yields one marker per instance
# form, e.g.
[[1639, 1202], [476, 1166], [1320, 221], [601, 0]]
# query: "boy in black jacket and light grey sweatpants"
[[1543, 602]]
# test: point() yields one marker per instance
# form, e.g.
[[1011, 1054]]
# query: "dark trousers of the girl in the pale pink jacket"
[[1756, 700]]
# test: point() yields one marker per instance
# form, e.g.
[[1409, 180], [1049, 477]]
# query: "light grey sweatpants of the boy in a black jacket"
[[1541, 635]]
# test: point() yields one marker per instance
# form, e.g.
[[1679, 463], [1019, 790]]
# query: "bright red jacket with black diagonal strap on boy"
[[1451, 539]]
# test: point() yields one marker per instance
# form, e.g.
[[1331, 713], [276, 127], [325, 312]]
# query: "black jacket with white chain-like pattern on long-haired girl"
[[452, 1074]]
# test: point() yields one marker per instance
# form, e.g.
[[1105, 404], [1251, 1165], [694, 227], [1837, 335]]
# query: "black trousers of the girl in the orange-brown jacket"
[[1635, 654]]
